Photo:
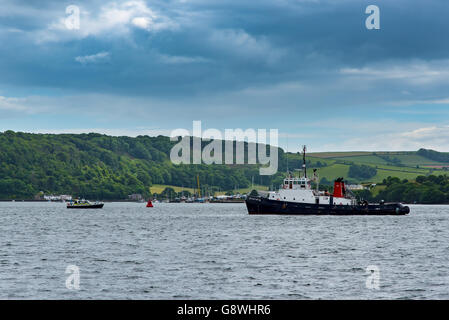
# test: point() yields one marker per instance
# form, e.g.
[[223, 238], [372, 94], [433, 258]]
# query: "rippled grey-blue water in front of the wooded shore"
[[217, 251]]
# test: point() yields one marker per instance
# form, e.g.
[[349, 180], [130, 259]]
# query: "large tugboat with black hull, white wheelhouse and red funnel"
[[297, 197]]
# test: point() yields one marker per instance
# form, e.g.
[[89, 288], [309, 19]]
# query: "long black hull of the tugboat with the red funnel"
[[261, 205]]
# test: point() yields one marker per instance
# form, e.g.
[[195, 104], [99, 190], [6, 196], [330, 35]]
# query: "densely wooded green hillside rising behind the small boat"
[[97, 166]]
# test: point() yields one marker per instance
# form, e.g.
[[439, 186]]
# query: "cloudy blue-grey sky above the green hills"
[[309, 68]]
